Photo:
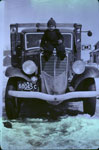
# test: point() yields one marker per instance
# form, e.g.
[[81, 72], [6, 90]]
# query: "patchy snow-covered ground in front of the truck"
[[79, 132]]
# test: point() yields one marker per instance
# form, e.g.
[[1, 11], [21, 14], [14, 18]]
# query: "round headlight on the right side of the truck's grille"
[[78, 67]]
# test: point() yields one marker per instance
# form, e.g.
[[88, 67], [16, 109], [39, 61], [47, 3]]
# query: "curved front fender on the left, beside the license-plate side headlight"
[[15, 72]]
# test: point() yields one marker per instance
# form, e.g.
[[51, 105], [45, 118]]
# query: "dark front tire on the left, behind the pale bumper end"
[[12, 105]]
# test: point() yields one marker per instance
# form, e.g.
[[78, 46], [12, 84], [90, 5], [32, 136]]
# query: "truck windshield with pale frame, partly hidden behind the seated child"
[[33, 40]]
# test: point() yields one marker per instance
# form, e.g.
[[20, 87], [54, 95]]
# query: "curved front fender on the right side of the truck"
[[90, 72]]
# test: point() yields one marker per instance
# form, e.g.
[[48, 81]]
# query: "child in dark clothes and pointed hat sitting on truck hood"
[[52, 38]]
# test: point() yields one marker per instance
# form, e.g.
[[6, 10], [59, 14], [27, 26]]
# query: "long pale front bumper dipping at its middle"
[[53, 98]]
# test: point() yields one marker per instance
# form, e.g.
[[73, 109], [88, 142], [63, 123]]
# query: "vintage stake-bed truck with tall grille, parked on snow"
[[48, 84]]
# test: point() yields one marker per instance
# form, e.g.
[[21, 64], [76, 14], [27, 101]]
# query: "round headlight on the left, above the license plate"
[[29, 67]]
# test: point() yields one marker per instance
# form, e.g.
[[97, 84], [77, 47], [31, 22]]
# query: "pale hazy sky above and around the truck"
[[85, 12]]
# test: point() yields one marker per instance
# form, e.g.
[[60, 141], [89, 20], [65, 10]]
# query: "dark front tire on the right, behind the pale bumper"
[[89, 104]]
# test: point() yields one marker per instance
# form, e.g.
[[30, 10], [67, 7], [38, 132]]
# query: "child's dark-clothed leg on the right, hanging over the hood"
[[61, 51]]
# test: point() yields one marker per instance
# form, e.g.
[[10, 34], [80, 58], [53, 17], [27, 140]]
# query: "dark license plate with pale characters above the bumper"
[[27, 86]]
